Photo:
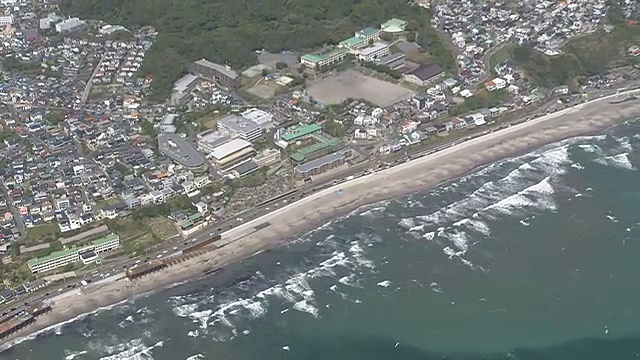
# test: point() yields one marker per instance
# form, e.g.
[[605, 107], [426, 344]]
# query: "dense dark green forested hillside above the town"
[[230, 30]]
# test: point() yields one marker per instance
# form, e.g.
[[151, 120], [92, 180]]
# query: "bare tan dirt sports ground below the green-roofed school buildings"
[[353, 85]]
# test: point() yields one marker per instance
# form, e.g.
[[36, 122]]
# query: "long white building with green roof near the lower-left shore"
[[65, 257]]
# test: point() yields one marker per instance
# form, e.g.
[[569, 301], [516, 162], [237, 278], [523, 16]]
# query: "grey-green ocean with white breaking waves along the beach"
[[532, 257]]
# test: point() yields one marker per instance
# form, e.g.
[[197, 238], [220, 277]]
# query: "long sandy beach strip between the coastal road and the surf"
[[415, 175]]
